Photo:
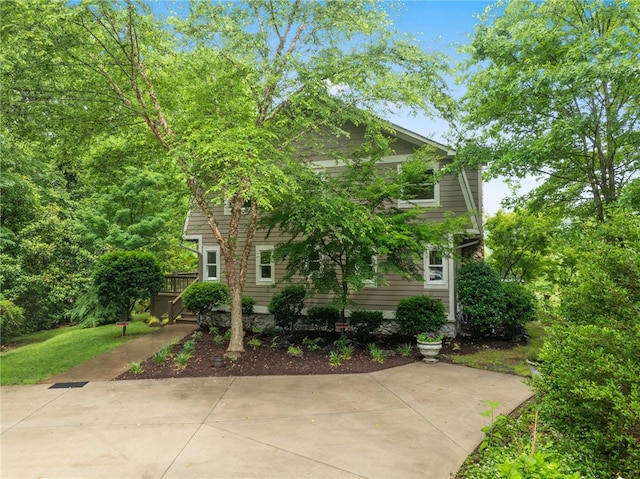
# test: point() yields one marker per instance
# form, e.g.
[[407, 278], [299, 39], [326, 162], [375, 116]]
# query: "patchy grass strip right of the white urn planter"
[[512, 360]]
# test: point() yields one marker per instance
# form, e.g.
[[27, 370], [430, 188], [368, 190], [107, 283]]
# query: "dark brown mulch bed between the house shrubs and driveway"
[[272, 357]]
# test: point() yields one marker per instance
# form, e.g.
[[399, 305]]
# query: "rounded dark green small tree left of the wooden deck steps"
[[123, 277]]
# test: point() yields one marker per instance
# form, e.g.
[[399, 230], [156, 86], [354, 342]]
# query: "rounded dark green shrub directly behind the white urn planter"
[[420, 314]]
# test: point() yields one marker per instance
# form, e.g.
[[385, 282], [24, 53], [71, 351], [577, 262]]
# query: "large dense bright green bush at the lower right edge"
[[590, 391]]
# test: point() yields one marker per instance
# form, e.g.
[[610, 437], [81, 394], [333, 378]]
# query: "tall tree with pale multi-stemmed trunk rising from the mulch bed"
[[234, 105]]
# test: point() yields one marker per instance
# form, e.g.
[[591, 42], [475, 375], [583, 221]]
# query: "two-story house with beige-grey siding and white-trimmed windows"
[[460, 194]]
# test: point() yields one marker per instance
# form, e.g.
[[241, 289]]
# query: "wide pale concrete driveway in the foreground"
[[415, 421]]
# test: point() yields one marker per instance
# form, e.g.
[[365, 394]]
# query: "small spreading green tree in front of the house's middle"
[[345, 219]]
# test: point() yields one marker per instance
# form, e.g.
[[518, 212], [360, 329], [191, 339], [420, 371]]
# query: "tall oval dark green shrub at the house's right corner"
[[482, 298]]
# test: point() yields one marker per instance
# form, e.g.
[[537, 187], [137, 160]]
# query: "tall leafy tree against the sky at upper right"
[[554, 91]]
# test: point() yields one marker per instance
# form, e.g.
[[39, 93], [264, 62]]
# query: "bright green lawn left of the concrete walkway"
[[37, 356]]
